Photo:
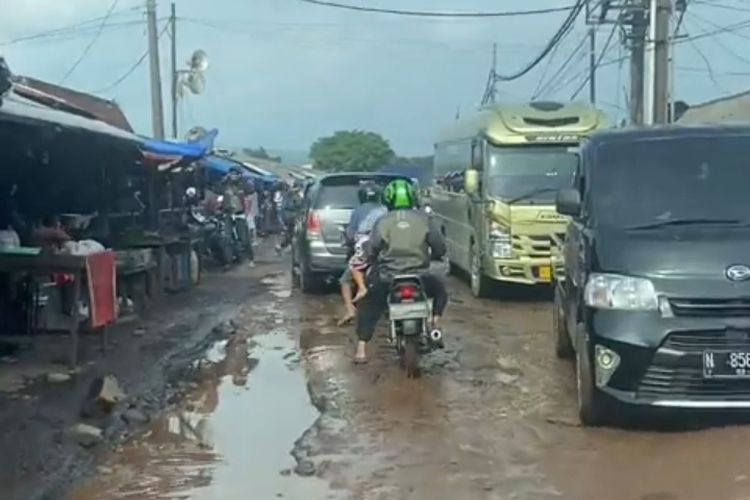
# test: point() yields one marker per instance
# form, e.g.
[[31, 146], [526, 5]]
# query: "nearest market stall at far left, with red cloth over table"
[[55, 164]]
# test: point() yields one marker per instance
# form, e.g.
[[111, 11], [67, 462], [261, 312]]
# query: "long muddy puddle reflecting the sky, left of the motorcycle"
[[232, 436]]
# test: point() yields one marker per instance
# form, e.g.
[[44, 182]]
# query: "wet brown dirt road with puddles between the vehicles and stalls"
[[279, 411]]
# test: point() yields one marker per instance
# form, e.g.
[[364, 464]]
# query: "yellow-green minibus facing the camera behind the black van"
[[496, 175]]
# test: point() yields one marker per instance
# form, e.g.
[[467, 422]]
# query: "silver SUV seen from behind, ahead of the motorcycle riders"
[[319, 251]]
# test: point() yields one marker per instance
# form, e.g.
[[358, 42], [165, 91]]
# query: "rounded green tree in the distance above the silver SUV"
[[351, 151]]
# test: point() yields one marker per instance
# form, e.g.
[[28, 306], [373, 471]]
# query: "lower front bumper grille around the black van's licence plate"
[[682, 377]]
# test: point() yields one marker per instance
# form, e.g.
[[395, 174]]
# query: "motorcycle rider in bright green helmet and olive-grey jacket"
[[400, 243]]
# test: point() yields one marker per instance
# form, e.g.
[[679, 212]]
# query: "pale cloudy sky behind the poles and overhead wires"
[[283, 73]]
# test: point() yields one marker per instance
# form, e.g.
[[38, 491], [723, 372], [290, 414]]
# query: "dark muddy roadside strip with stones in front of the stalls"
[[52, 435]]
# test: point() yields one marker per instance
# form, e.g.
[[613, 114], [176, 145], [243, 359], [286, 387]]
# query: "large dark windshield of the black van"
[[641, 183]]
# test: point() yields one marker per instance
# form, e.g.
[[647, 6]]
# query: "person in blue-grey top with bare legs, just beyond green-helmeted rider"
[[361, 222]]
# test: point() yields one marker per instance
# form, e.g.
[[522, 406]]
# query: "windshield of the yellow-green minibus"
[[514, 171]]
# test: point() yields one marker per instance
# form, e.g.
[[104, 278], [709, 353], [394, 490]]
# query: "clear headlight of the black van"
[[613, 291]]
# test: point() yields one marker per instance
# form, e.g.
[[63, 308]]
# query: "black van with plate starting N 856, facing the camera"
[[654, 304]]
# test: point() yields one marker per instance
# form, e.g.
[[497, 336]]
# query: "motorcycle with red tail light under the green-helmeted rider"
[[410, 317]]
